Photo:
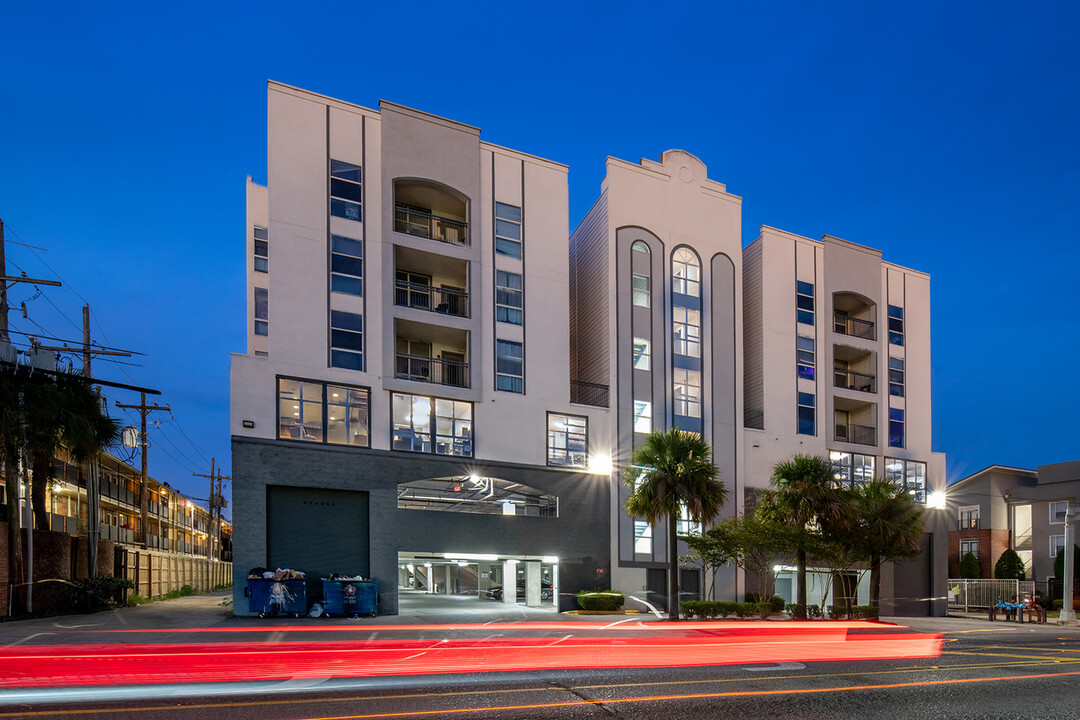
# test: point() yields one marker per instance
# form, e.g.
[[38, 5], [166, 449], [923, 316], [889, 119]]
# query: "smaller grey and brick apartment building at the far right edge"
[[1001, 508]]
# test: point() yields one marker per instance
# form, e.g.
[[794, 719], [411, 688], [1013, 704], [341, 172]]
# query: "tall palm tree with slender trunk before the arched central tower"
[[672, 470]]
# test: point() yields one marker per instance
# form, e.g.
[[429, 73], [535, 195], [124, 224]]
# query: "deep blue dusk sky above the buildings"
[[943, 134]]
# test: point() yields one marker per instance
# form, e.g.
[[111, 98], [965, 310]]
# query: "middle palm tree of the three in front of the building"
[[806, 498]]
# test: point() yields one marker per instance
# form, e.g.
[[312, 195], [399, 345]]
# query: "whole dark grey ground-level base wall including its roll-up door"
[[296, 505]]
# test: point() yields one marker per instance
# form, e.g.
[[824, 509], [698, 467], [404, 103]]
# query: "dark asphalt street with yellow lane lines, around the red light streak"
[[984, 671]]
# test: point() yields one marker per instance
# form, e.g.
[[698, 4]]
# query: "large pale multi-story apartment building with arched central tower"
[[441, 390]]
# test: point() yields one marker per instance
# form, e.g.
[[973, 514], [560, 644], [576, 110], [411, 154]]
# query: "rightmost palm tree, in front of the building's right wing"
[[889, 528]]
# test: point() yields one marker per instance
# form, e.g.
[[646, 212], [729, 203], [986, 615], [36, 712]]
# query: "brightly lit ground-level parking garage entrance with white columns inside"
[[512, 580]]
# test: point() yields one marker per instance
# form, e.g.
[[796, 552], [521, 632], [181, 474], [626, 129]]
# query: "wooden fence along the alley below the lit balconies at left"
[[157, 574]]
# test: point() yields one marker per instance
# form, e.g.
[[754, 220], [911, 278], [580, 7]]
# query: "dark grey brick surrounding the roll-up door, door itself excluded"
[[579, 537]]
